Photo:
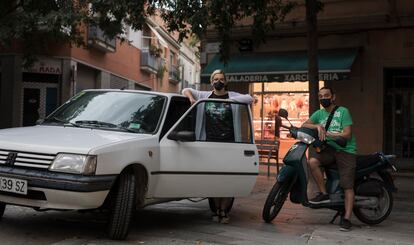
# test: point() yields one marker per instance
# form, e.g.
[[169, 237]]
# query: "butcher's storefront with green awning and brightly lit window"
[[279, 80]]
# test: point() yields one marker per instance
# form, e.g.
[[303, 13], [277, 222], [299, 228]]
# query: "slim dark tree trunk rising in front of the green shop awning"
[[313, 71]]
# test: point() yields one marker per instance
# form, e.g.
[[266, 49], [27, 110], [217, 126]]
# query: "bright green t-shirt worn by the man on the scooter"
[[340, 120]]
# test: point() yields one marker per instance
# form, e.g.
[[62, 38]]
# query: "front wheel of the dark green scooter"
[[275, 201]]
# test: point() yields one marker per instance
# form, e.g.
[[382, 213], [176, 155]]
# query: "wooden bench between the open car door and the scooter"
[[268, 153]]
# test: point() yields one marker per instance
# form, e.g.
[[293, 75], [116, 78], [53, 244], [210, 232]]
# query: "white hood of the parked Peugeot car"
[[55, 139]]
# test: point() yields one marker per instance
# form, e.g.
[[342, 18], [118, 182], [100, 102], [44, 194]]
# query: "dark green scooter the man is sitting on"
[[373, 182]]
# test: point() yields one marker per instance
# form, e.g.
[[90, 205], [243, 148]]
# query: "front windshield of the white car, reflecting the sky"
[[113, 110]]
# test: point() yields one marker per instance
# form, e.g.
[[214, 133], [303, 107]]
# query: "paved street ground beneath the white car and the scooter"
[[186, 222]]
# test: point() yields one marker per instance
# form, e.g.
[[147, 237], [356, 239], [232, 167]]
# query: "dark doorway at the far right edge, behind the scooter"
[[399, 113]]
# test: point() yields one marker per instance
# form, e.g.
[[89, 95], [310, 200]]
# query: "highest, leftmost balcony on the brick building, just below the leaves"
[[98, 40]]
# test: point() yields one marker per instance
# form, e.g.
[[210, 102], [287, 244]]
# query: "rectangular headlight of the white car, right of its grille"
[[74, 163]]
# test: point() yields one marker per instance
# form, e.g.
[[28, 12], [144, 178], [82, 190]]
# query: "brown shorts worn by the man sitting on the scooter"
[[346, 163]]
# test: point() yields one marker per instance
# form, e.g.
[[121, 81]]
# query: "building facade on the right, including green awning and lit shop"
[[366, 54]]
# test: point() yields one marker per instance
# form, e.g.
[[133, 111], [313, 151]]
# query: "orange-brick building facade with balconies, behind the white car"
[[148, 60]]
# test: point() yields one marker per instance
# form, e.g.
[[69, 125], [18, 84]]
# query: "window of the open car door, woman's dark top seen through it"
[[218, 121]]
